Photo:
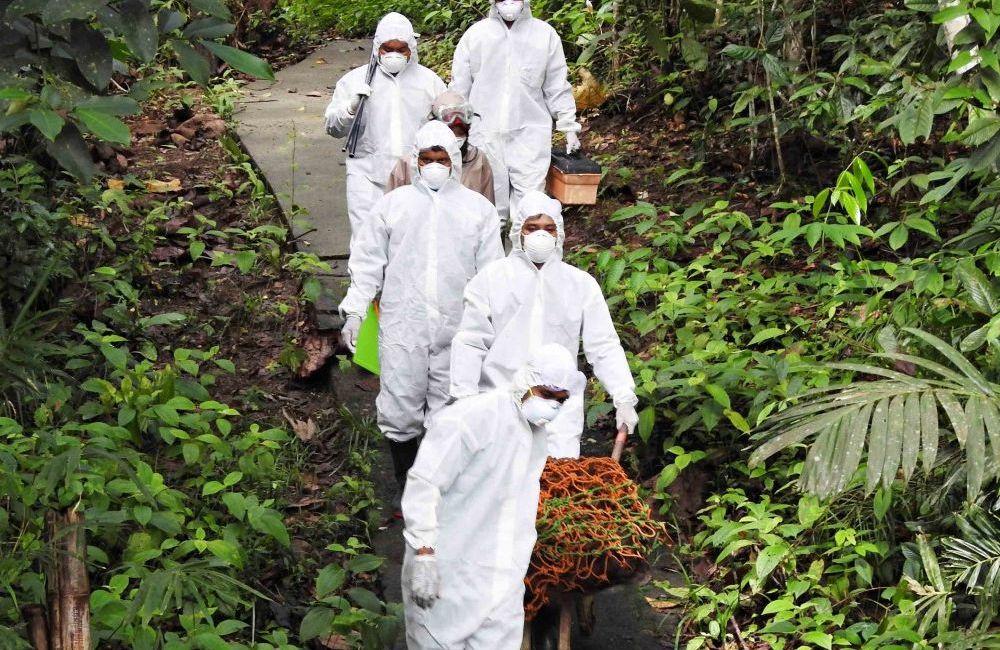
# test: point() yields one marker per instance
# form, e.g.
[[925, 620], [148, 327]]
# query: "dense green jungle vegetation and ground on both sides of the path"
[[798, 234]]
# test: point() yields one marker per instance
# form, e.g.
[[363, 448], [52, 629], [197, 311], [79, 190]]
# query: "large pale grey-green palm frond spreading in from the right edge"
[[896, 418]]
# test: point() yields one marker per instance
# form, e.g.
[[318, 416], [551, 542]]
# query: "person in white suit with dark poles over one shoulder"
[[399, 102]]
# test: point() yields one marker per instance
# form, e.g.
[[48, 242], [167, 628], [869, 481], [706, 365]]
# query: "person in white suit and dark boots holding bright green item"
[[419, 247]]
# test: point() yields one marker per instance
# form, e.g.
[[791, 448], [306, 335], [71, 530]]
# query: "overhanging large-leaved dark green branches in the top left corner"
[[58, 59]]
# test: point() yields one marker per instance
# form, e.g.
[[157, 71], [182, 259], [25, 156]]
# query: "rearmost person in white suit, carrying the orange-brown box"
[[512, 68]]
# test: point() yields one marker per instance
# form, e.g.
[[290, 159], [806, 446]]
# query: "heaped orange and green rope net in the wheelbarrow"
[[593, 530]]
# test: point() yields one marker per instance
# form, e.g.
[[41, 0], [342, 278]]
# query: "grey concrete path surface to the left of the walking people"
[[281, 125]]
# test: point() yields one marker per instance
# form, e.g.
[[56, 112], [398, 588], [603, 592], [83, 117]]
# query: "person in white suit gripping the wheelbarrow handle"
[[532, 297]]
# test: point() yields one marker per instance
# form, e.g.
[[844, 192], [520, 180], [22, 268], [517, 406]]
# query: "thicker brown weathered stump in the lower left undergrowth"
[[68, 585]]
